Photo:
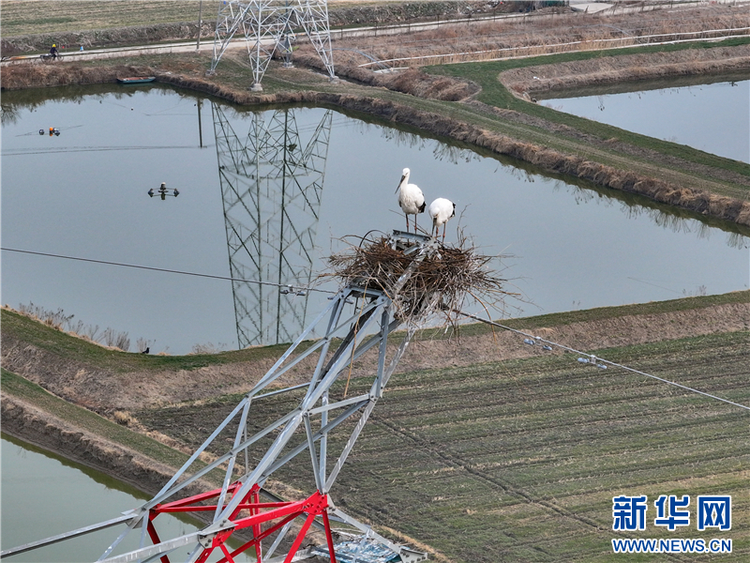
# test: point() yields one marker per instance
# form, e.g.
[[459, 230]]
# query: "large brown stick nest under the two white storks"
[[440, 283]]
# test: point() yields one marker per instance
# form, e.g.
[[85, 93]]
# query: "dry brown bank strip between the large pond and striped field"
[[106, 392]]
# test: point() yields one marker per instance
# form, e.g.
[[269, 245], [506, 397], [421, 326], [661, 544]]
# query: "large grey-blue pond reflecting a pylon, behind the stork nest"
[[269, 195]]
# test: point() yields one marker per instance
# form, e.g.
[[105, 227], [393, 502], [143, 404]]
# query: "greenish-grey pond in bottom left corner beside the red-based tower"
[[35, 506]]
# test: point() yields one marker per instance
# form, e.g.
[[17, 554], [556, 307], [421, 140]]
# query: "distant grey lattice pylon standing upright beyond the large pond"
[[269, 26]]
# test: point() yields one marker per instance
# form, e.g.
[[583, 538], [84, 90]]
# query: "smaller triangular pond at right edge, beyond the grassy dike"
[[713, 117]]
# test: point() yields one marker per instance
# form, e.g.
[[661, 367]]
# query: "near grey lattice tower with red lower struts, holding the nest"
[[312, 440]]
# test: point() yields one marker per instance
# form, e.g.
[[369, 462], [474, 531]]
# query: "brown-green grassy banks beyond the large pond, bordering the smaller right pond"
[[683, 178]]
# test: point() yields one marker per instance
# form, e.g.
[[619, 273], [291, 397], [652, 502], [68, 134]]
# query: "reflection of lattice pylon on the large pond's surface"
[[272, 185]]
